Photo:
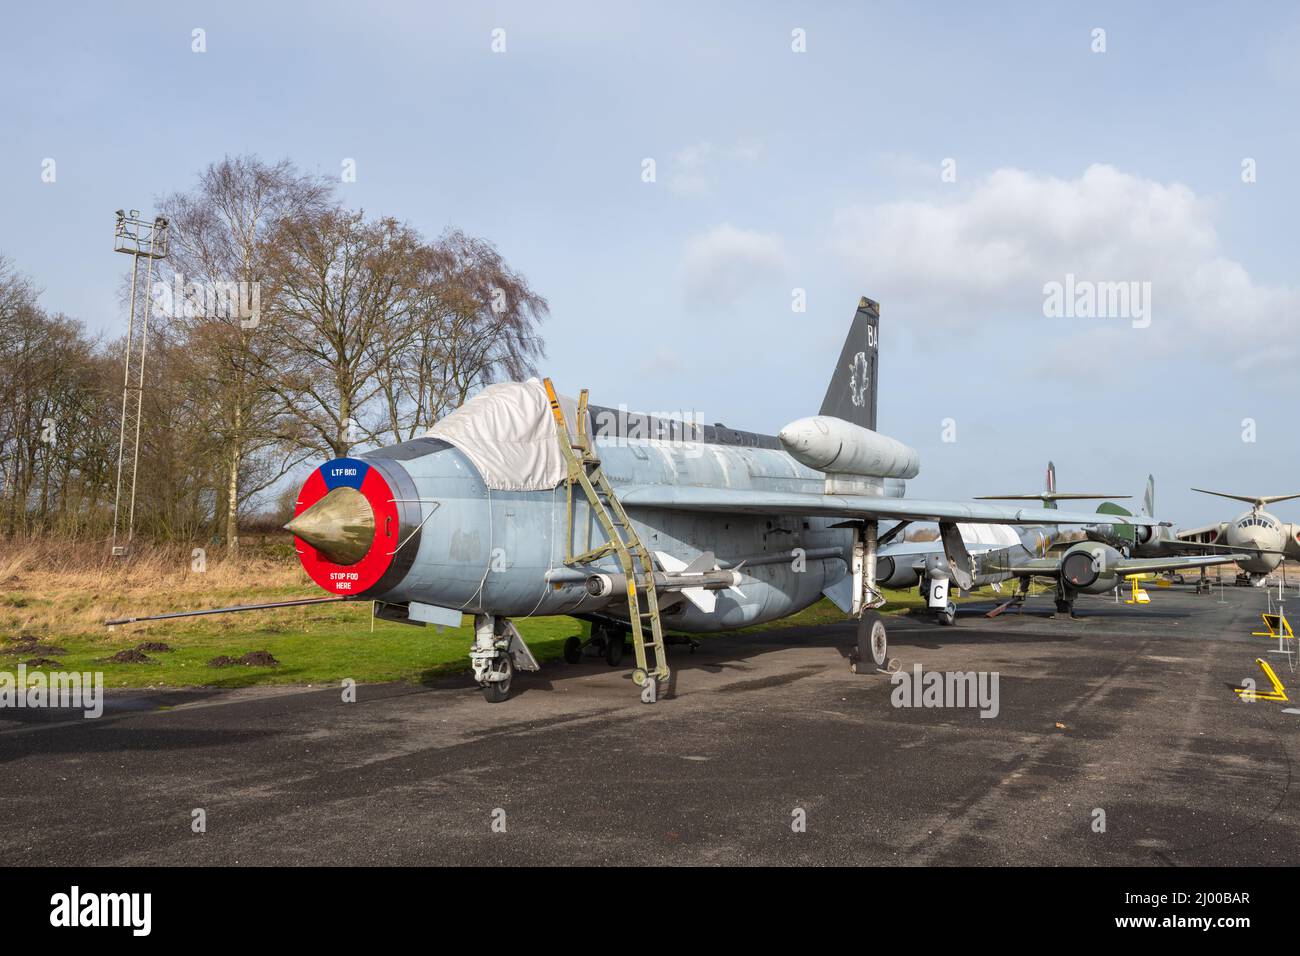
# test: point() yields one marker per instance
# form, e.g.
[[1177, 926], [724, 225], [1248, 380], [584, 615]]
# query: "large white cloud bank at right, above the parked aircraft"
[[993, 249]]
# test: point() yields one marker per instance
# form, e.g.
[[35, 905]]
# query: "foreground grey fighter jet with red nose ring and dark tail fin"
[[526, 504]]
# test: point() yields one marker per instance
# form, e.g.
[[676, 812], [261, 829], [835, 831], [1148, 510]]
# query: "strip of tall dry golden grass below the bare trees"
[[62, 589]]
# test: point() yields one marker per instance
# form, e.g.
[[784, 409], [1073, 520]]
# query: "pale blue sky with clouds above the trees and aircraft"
[[774, 171]]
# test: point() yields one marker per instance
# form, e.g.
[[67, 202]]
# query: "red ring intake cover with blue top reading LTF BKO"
[[352, 579]]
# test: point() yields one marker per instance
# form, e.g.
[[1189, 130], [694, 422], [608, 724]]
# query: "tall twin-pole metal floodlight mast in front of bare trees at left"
[[140, 240]]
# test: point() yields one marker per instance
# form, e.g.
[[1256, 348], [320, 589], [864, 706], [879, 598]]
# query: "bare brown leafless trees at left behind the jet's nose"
[[284, 328]]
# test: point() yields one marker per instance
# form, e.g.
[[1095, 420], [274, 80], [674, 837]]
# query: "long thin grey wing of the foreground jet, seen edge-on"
[[753, 503]]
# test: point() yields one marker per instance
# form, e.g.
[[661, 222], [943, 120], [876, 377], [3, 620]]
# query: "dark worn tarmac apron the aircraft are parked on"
[[1124, 711]]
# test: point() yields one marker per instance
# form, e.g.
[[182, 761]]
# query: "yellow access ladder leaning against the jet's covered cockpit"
[[621, 539]]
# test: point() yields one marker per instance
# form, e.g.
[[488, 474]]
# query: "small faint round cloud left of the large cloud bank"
[[720, 266]]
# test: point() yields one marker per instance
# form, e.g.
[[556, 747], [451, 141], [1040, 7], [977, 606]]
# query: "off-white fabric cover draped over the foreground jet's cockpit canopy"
[[509, 434]]
